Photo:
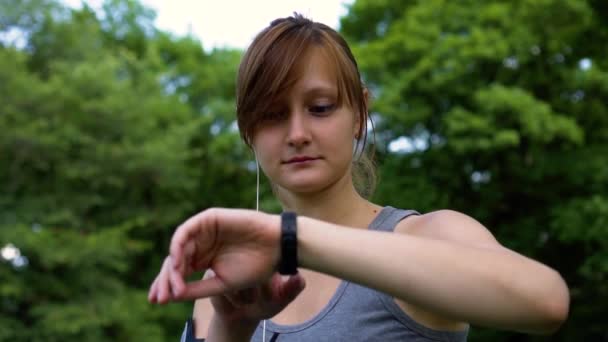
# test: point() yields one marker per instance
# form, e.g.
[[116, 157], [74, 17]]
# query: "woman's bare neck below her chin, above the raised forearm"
[[339, 203]]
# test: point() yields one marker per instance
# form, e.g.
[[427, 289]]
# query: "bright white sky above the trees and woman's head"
[[233, 23]]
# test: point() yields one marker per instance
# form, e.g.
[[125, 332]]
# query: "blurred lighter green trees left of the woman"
[[113, 133]]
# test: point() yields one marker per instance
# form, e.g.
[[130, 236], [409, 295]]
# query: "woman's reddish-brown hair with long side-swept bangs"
[[270, 67]]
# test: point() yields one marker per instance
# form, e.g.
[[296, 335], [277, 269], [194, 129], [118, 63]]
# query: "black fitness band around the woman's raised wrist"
[[288, 264]]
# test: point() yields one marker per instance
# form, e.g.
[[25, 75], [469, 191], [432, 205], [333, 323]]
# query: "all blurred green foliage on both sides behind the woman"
[[113, 132]]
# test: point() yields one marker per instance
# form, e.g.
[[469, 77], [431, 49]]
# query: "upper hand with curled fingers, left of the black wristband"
[[240, 246]]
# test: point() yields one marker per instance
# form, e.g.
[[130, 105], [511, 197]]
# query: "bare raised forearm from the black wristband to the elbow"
[[481, 286]]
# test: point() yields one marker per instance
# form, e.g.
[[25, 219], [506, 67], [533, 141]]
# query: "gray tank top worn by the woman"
[[358, 313]]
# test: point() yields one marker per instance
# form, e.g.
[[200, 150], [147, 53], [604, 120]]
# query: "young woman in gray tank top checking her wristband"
[[366, 272]]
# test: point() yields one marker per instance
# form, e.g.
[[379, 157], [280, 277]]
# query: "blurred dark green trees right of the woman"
[[498, 109]]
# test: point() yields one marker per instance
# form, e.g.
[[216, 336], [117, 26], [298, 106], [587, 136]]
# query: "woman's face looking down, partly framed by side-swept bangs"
[[305, 143]]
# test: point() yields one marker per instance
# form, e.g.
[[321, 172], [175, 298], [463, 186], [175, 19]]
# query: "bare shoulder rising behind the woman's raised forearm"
[[448, 225]]
